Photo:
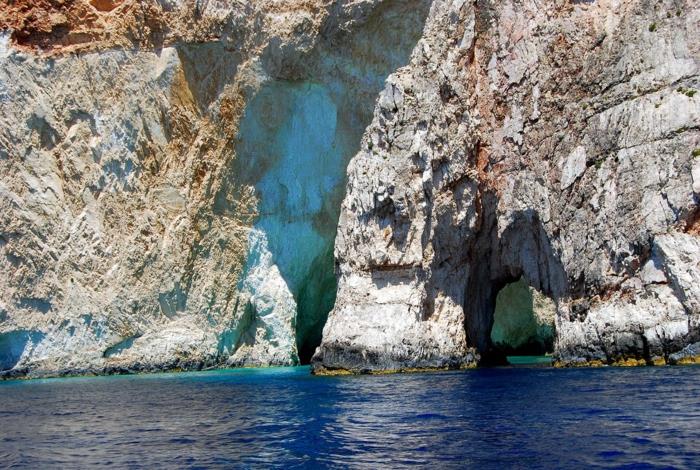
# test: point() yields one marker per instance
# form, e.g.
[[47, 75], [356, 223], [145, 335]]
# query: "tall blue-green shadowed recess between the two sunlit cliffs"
[[296, 138]]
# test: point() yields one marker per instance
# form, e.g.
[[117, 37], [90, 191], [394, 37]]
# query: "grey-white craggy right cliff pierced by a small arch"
[[555, 142]]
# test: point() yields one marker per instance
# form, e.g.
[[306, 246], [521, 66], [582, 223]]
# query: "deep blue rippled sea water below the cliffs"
[[487, 418]]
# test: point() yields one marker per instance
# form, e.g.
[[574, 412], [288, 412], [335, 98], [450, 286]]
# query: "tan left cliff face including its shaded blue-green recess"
[[172, 172]]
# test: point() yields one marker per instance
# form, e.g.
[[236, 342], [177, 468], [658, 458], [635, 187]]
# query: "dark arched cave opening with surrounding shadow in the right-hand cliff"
[[512, 287]]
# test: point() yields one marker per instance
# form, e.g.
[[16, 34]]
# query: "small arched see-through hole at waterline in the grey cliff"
[[523, 327]]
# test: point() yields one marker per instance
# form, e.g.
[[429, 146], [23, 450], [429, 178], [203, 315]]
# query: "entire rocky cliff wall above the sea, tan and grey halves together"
[[172, 172]]
